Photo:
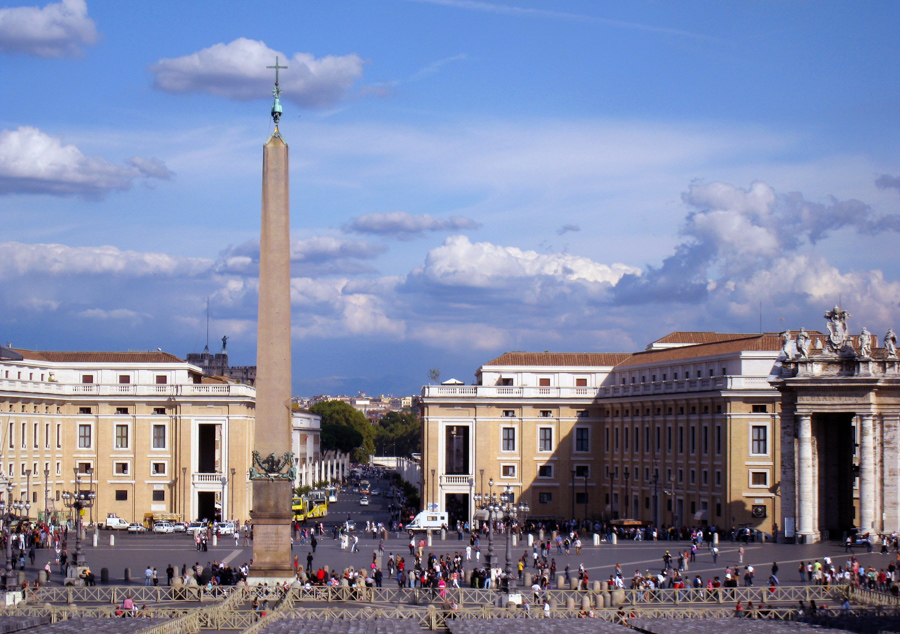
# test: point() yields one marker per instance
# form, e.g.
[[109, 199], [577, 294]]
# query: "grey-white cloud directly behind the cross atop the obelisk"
[[237, 70]]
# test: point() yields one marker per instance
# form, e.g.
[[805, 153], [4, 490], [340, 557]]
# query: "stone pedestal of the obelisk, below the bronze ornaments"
[[272, 560]]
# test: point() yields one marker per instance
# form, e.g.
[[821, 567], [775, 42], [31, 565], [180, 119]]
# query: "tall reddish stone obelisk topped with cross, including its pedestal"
[[272, 470]]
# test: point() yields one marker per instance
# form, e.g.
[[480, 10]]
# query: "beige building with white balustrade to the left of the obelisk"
[[148, 430]]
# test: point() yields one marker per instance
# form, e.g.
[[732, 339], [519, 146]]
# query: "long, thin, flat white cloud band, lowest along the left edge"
[[18, 259]]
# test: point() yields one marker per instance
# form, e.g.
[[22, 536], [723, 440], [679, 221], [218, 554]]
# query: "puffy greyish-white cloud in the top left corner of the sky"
[[62, 29]]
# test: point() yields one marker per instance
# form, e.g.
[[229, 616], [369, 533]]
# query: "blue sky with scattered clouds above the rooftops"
[[467, 177]]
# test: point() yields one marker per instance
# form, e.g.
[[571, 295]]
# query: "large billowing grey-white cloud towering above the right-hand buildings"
[[730, 234]]
